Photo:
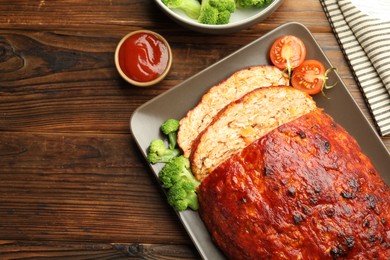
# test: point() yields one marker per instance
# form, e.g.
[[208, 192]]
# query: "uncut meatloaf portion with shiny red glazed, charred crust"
[[303, 191]]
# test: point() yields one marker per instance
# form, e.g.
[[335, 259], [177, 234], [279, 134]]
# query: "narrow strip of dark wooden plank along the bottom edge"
[[48, 249]]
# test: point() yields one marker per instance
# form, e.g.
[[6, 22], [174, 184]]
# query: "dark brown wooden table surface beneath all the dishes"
[[72, 181]]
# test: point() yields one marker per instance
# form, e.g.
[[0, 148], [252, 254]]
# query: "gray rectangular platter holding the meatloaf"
[[175, 103]]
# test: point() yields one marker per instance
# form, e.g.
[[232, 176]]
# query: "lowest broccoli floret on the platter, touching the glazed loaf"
[[183, 195]]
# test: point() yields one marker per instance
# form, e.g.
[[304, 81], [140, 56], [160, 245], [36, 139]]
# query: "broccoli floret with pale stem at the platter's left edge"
[[159, 153]]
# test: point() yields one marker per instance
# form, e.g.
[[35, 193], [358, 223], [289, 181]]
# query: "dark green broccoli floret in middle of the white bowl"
[[216, 11]]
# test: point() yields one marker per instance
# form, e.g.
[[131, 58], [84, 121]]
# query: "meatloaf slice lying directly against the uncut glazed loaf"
[[243, 121]]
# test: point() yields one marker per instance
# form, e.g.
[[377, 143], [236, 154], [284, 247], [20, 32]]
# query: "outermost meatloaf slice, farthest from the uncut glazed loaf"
[[234, 87]]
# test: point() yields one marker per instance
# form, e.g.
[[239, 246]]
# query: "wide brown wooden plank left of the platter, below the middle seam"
[[89, 187]]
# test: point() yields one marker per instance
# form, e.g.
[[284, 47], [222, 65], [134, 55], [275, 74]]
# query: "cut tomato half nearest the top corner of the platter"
[[288, 52]]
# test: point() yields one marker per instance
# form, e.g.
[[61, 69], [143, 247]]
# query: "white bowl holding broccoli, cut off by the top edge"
[[240, 19]]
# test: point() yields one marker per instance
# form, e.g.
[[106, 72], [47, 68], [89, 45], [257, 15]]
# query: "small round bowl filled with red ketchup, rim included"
[[143, 58]]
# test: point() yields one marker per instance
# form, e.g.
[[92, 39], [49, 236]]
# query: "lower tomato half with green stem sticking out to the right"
[[309, 77]]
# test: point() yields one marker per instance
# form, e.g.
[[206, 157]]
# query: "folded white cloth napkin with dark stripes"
[[363, 32]]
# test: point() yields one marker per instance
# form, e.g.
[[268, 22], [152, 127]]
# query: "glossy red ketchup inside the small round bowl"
[[143, 57]]
